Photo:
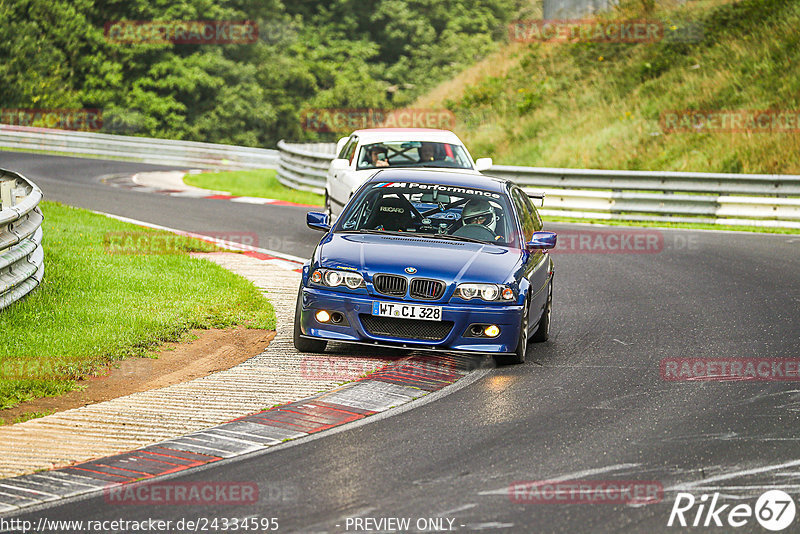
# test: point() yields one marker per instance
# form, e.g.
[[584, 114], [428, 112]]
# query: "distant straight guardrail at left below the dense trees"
[[143, 149]]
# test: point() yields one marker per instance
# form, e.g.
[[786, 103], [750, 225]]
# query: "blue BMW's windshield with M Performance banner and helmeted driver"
[[443, 211]]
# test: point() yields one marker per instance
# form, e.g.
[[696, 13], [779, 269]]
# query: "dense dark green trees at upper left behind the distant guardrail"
[[333, 53]]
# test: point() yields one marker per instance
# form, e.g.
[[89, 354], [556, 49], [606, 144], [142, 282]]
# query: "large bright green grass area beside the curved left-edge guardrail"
[[112, 290]]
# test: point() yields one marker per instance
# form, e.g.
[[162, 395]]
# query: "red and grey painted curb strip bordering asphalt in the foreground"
[[392, 386]]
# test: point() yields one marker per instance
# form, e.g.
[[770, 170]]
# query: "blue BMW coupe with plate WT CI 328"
[[429, 260]]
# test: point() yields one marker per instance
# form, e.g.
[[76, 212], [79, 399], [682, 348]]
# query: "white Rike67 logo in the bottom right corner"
[[774, 510]]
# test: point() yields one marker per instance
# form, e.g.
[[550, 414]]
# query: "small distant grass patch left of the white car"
[[262, 183]]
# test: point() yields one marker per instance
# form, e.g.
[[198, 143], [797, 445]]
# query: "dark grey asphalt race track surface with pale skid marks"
[[589, 405]]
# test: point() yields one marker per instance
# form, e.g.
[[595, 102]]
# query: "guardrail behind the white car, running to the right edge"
[[731, 199]]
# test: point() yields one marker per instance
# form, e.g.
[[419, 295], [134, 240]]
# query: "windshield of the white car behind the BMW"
[[413, 154]]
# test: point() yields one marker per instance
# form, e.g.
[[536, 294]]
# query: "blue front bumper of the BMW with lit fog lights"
[[358, 326]]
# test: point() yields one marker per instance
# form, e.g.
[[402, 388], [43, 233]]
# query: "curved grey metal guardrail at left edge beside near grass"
[[21, 254]]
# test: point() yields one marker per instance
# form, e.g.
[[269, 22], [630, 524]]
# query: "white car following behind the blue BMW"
[[366, 151]]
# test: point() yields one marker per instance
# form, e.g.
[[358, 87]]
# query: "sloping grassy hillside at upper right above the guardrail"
[[598, 105]]
